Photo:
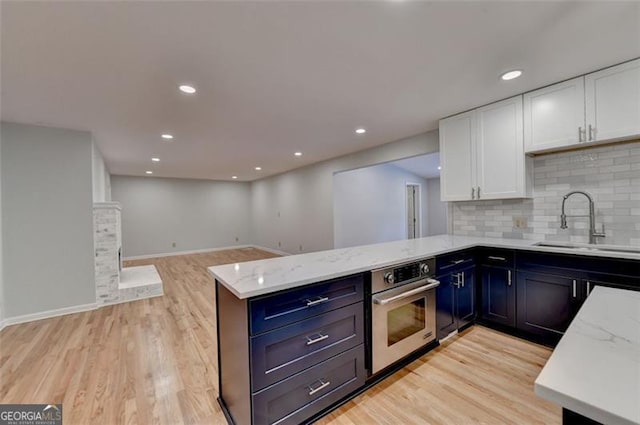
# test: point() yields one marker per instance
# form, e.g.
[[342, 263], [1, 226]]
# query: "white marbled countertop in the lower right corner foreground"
[[595, 369]]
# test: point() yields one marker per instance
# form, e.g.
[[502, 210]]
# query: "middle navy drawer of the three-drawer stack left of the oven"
[[282, 352]]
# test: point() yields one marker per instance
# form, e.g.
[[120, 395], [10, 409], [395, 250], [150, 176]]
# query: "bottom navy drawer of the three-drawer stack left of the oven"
[[299, 397]]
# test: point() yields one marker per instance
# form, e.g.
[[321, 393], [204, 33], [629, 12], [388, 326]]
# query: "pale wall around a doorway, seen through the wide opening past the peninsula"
[[370, 205]]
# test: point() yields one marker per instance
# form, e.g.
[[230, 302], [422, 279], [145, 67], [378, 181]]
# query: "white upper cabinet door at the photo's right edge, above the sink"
[[613, 102]]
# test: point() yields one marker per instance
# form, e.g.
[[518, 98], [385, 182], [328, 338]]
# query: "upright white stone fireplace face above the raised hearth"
[[107, 241]]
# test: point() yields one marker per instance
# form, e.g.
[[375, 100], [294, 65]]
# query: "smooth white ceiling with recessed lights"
[[277, 77]]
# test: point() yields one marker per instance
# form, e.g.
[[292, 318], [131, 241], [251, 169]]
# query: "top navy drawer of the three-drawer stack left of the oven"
[[274, 311]]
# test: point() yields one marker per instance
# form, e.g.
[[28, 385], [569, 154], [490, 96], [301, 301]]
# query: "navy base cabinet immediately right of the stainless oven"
[[455, 297]]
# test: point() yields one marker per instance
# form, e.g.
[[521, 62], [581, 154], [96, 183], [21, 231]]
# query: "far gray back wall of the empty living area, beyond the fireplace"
[[195, 214]]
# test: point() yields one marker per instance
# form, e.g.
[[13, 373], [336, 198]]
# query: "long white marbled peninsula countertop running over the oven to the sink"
[[253, 278]]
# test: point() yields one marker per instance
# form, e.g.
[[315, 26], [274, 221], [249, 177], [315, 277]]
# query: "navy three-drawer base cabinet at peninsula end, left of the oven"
[[285, 357]]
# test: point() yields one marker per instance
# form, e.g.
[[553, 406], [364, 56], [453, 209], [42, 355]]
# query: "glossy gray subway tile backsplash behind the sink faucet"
[[610, 174]]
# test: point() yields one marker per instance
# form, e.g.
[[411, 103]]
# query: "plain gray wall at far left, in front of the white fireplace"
[[47, 226]]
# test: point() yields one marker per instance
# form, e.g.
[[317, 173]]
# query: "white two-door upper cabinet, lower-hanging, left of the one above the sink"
[[482, 153]]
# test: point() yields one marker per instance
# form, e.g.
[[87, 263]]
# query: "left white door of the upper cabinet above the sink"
[[554, 116]]
